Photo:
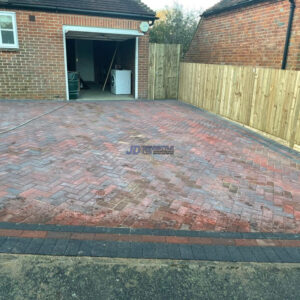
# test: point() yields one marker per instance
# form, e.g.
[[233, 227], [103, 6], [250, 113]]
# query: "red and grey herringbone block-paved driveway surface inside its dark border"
[[70, 167]]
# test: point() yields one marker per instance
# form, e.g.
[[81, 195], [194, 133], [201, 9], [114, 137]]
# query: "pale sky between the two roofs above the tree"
[[188, 4]]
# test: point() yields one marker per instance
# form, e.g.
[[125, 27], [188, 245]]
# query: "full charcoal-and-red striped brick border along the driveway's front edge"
[[161, 244]]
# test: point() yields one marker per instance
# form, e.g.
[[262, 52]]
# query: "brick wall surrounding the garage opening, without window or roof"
[[37, 69]]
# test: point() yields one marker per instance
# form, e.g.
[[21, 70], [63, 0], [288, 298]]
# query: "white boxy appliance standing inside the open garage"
[[121, 82]]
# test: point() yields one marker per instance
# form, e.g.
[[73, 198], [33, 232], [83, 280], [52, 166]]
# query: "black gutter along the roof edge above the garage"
[[79, 11]]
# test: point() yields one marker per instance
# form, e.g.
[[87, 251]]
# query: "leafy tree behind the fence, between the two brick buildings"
[[175, 26]]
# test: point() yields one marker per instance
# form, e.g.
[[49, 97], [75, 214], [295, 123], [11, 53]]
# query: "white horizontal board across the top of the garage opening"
[[67, 28]]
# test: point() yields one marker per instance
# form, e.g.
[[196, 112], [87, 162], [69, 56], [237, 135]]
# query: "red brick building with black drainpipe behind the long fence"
[[253, 32]]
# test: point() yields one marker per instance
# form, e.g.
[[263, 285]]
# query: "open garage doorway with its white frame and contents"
[[105, 61]]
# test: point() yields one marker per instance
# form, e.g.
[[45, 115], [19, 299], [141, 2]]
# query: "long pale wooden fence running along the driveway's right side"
[[265, 99]]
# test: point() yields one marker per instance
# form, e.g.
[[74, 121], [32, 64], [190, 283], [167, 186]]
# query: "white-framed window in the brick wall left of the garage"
[[8, 30]]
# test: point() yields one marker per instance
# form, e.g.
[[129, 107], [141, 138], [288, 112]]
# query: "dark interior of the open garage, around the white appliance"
[[93, 59]]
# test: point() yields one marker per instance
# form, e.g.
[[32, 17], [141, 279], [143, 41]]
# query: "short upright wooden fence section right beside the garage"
[[164, 63]]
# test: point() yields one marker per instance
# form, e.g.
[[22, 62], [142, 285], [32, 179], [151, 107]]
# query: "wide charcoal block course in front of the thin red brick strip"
[[62, 247]]
